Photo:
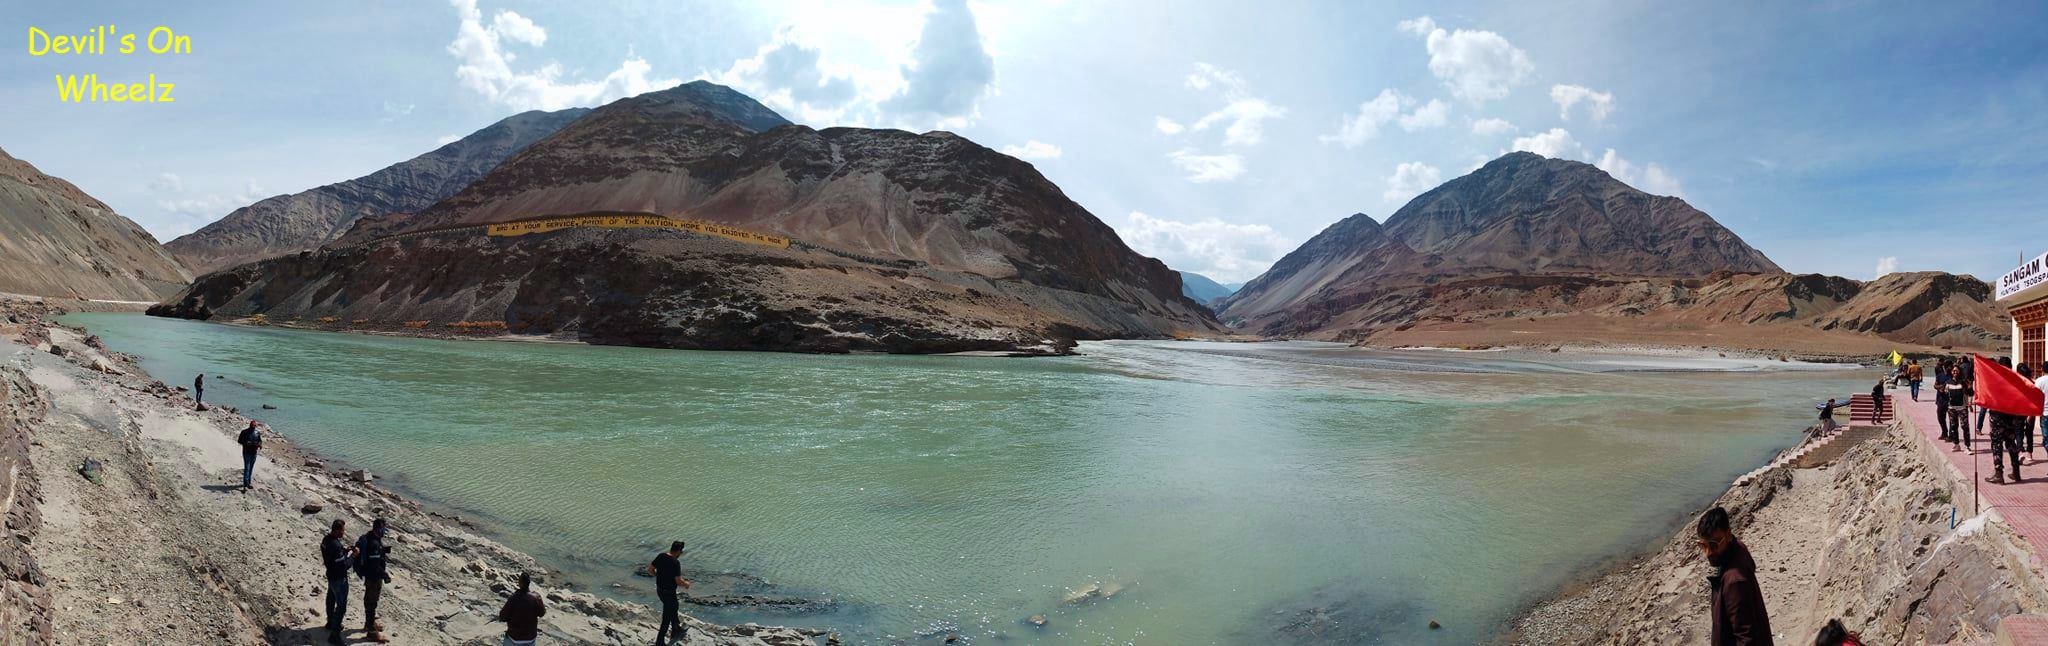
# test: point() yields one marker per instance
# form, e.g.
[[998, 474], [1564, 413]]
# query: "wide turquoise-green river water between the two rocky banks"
[[1234, 493]]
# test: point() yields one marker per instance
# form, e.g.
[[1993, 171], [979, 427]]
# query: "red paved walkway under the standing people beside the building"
[[2022, 506]]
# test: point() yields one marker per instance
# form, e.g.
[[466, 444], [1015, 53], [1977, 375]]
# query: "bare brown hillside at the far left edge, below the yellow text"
[[56, 241]]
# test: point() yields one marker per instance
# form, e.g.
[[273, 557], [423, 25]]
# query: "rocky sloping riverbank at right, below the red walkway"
[[1881, 538]]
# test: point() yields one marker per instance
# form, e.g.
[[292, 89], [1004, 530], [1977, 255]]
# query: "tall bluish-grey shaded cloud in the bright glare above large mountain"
[[951, 71]]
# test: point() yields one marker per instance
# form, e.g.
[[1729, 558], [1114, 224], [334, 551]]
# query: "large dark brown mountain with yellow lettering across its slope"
[[910, 243]]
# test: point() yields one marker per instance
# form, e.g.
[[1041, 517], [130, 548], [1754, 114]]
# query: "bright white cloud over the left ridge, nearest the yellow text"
[[484, 65]]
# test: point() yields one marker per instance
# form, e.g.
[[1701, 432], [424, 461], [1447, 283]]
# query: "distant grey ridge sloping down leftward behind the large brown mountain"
[[306, 220]]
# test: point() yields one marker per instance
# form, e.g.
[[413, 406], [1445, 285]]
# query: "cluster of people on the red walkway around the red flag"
[[2012, 436]]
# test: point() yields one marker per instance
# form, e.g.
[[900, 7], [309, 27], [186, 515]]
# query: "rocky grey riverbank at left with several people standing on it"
[[132, 528]]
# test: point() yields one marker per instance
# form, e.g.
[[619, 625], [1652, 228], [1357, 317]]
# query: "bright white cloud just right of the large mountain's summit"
[[790, 77]]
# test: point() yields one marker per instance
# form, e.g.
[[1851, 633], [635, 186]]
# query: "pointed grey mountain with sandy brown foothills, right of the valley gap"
[[1547, 251]]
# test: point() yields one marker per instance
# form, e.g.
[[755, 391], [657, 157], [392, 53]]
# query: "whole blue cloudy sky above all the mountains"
[[1848, 138]]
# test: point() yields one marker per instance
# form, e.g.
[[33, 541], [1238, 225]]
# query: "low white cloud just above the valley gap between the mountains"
[[1211, 247]]
